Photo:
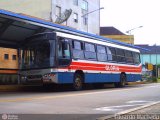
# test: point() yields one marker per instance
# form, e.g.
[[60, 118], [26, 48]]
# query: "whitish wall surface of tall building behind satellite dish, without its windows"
[[93, 18]]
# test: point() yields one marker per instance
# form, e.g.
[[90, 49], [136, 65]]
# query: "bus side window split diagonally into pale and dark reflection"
[[111, 53]]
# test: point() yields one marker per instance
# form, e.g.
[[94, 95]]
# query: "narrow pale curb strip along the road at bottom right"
[[128, 111]]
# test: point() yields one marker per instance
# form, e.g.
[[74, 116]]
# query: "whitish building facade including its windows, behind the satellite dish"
[[81, 18]]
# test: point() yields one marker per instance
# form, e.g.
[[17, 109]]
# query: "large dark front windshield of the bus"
[[38, 55]]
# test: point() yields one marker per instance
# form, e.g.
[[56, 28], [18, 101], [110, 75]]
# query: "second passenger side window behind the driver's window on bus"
[[90, 51]]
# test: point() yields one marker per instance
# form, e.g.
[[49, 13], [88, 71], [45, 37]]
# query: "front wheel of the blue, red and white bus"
[[78, 82]]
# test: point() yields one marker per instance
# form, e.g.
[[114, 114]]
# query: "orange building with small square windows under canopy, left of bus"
[[8, 66]]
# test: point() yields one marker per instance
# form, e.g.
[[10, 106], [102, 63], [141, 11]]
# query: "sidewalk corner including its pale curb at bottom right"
[[146, 112]]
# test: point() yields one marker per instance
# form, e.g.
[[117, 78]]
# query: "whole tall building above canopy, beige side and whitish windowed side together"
[[81, 18]]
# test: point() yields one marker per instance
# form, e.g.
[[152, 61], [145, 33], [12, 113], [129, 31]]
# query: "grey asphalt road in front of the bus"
[[67, 104]]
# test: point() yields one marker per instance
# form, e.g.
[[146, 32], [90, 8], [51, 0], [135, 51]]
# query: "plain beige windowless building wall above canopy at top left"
[[37, 8]]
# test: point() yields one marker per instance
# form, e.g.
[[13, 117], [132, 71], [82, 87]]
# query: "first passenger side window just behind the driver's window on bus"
[[77, 47]]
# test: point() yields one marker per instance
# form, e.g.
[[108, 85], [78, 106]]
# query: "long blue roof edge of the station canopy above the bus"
[[46, 24]]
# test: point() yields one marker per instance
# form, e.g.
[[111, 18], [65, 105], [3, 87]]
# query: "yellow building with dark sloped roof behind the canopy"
[[113, 33]]
